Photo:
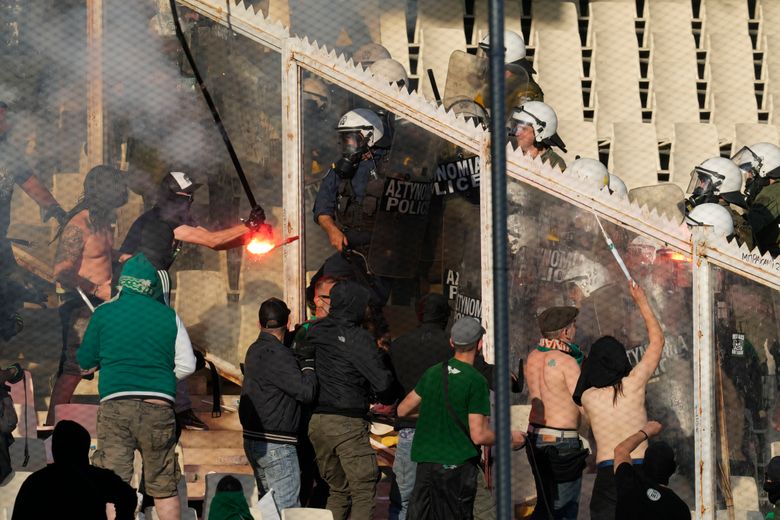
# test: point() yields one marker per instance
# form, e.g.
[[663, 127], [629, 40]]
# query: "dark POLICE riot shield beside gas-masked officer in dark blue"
[[404, 206]]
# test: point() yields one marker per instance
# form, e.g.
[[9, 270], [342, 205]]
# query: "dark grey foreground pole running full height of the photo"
[[500, 287]]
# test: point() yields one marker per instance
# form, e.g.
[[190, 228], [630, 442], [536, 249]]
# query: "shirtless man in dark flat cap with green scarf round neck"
[[551, 371]]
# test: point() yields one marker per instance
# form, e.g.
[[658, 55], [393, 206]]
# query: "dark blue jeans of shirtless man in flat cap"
[[563, 496]]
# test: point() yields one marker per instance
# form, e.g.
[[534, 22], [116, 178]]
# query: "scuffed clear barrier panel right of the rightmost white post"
[[747, 342]]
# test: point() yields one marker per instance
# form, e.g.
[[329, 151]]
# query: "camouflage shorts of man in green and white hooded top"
[[129, 424]]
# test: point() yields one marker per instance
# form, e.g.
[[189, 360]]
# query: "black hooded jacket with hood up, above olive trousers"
[[350, 367]]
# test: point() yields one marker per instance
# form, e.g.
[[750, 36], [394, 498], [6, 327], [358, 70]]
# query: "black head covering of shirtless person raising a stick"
[[606, 364]]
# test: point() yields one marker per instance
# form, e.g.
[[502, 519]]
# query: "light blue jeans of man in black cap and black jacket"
[[276, 467]]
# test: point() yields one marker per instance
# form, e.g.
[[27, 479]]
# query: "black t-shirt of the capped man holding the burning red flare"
[[153, 236]]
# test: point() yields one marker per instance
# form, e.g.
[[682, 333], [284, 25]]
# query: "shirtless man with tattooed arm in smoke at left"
[[83, 261]]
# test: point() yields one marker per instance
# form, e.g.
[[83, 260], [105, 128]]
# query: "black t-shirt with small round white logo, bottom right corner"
[[638, 497]]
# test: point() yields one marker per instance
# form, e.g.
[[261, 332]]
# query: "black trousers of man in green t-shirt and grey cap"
[[444, 492]]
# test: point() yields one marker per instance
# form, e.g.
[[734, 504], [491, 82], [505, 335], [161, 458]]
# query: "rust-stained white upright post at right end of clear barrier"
[[705, 432]]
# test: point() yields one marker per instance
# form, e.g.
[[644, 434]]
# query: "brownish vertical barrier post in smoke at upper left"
[[95, 133]]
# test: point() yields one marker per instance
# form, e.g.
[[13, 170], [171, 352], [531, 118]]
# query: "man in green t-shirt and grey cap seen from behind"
[[454, 406]]
